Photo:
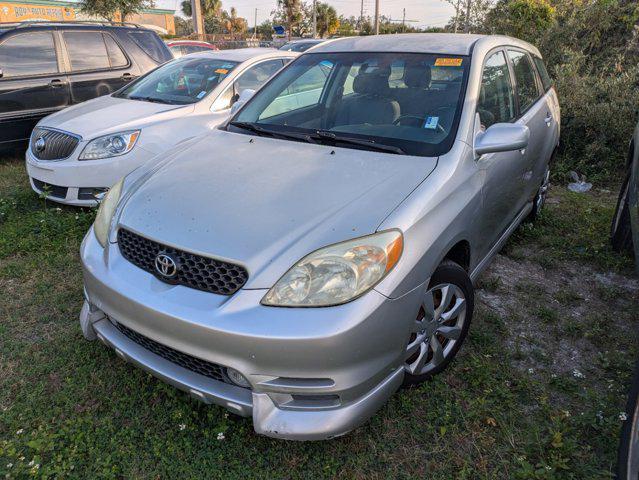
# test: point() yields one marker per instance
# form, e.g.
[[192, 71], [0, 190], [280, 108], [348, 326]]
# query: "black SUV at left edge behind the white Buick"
[[45, 67]]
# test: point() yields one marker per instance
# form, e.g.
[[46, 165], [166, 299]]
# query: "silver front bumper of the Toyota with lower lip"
[[315, 373]]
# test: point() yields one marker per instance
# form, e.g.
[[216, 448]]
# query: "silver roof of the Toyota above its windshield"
[[438, 43]]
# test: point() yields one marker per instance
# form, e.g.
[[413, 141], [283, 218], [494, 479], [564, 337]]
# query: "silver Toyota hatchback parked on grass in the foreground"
[[318, 251]]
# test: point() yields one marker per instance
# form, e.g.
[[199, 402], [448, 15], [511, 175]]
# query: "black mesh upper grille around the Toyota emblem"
[[195, 271]]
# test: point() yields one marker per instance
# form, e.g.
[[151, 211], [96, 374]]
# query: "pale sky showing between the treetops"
[[431, 13]]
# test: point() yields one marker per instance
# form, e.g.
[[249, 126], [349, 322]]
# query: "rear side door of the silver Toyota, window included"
[[533, 111]]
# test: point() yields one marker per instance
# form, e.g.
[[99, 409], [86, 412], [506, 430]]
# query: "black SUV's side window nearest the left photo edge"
[[28, 54]]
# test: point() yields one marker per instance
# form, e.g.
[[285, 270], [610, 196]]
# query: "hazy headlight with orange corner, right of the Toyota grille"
[[339, 273]]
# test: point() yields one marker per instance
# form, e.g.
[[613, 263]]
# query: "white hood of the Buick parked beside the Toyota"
[[109, 114]]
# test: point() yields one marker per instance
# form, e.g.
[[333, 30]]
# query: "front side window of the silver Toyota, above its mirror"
[[496, 98]]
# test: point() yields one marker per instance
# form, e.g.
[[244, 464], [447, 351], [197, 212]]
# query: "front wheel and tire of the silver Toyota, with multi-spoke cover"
[[450, 281]]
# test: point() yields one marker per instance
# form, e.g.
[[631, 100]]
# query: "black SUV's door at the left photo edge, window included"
[[31, 85]]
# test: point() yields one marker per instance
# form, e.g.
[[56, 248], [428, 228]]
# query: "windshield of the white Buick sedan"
[[180, 82]]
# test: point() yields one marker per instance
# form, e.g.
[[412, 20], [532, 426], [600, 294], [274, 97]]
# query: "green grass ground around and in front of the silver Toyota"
[[72, 409]]
